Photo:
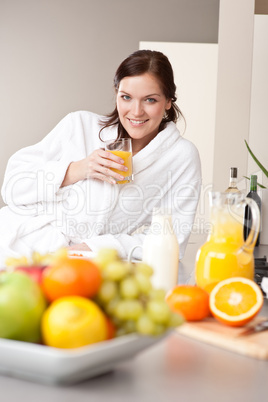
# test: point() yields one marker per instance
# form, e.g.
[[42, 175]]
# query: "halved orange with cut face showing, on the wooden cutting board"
[[235, 301]]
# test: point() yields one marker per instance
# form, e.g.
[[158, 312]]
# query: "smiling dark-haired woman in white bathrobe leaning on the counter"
[[62, 191]]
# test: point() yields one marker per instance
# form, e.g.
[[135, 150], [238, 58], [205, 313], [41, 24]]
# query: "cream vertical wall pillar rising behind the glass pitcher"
[[236, 28]]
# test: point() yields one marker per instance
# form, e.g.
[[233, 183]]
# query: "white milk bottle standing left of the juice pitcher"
[[161, 251]]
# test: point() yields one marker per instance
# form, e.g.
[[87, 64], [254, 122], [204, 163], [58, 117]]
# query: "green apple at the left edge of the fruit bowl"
[[22, 304]]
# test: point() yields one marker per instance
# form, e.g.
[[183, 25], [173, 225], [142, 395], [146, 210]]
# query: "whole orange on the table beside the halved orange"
[[190, 301]]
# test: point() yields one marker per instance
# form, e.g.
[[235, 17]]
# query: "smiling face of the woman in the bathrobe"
[[141, 105]]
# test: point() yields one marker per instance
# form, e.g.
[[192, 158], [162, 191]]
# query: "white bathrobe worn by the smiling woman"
[[42, 216]]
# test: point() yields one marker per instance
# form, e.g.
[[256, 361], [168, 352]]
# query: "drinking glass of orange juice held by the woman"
[[123, 149]]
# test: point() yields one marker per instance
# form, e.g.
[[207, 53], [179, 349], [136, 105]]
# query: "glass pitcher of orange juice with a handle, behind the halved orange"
[[226, 254]]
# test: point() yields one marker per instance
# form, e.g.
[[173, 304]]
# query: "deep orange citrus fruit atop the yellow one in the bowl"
[[69, 277]]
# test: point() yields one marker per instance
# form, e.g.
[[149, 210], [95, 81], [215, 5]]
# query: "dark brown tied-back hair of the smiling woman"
[[138, 63]]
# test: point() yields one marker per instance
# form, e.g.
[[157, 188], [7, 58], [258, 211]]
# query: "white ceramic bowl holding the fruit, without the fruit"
[[45, 364]]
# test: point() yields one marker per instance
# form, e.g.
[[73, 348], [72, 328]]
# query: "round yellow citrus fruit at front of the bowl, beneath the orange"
[[72, 322]]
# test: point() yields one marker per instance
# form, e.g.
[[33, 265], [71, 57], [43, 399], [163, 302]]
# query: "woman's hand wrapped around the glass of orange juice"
[[95, 166]]
